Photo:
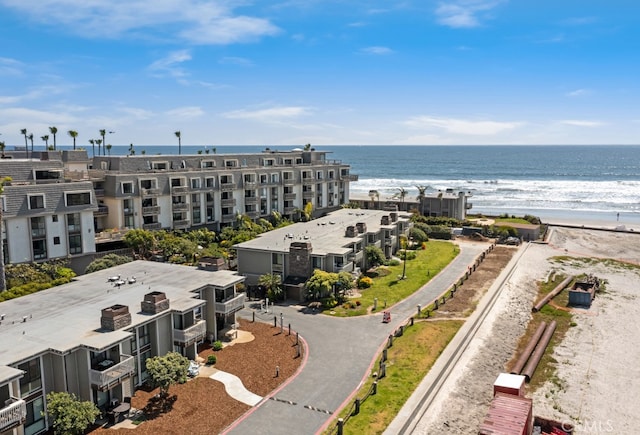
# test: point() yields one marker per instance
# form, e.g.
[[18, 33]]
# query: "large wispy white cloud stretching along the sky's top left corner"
[[195, 21]]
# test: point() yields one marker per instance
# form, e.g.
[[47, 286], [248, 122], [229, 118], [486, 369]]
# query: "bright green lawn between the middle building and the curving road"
[[391, 289]]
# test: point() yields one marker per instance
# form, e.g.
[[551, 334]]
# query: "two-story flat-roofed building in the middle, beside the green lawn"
[[334, 243]]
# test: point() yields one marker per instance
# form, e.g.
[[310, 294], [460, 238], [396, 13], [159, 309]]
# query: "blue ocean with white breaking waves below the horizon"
[[580, 183]]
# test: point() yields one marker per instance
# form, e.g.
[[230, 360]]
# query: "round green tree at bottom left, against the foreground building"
[[70, 415]]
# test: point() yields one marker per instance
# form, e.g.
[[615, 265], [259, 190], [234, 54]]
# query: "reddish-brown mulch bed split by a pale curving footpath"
[[201, 405]]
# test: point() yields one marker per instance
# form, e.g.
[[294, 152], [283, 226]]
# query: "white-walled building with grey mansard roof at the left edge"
[[43, 216]]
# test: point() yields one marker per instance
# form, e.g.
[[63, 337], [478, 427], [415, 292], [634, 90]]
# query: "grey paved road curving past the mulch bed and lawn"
[[340, 353]]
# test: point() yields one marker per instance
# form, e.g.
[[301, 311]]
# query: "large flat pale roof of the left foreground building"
[[64, 317]]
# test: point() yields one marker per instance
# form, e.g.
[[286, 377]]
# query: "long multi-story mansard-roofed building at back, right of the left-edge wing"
[[180, 192]]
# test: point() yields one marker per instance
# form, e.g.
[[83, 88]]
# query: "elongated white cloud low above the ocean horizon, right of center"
[[461, 126]]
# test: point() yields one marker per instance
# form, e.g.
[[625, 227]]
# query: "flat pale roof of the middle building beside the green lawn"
[[326, 234]]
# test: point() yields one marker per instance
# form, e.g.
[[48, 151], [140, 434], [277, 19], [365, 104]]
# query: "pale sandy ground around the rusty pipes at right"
[[597, 386]]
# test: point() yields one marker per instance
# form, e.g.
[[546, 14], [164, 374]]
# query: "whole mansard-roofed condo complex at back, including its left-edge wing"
[[62, 204]]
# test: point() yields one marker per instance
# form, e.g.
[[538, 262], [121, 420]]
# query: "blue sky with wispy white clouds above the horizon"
[[322, 72]]
